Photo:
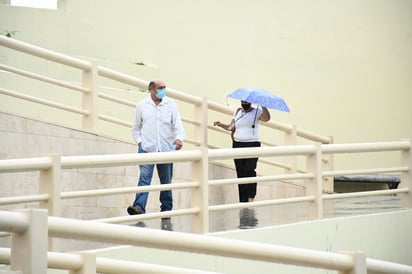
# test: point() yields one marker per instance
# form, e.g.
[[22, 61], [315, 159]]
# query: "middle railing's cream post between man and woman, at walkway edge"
[[200, 195]]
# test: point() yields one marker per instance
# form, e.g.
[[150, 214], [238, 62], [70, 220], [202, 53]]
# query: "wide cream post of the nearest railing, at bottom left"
[[29, 248]]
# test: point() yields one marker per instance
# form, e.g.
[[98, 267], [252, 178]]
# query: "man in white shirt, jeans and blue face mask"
[[157, 128]]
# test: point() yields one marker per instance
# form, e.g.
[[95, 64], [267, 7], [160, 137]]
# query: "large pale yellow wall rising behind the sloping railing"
[[343, 66]]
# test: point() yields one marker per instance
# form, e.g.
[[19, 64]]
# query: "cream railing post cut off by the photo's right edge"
[[406, 177]]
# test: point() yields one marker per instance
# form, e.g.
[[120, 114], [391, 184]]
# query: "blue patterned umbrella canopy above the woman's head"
[[260, 97]]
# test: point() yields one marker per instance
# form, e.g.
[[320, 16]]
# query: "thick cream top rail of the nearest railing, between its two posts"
[[77, 229]]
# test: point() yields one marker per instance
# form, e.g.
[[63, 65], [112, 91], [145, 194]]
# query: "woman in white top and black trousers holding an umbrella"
[[245, 128]]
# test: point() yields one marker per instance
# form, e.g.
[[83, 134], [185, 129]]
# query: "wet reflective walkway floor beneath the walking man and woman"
[[250, 218]]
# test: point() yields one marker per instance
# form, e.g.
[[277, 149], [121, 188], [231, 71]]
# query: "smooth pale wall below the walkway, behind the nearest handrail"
[[381, 236]]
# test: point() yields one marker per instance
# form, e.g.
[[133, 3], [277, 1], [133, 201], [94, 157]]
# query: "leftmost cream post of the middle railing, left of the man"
[[50, 182]]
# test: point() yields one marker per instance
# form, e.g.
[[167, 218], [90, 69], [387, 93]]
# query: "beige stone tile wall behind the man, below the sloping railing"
[[22, 137]]
